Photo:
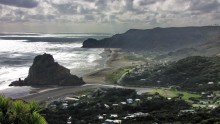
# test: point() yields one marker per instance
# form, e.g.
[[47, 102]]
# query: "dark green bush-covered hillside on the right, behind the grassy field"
[[194, 73]]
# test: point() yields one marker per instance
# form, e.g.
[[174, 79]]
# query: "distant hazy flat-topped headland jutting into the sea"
[[157, 39]]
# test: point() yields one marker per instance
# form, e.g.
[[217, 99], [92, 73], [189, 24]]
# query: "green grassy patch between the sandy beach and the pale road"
[[115, 75]]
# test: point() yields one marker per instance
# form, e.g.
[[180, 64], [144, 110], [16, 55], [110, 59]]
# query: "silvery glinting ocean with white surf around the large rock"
[[17, 52]]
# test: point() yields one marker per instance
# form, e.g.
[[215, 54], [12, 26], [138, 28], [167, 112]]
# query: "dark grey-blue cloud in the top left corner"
[[20, 3]]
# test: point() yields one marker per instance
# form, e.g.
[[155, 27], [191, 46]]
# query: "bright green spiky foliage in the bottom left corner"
[[19, 112]]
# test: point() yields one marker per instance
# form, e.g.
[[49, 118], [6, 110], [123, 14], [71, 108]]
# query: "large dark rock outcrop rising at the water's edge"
[[45, 71]]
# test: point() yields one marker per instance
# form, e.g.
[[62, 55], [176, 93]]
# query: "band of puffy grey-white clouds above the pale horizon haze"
[[145, 13]]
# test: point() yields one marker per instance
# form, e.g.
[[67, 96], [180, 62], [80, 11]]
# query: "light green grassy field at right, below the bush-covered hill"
[[173, 93]]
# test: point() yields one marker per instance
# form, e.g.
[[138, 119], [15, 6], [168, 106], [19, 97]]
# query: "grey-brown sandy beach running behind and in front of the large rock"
[[93, 80]]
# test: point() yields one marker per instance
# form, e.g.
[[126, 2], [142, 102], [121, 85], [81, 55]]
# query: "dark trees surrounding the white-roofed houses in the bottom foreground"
[[159, 109]]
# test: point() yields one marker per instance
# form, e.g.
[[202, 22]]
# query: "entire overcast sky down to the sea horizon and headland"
[[104, 16]]
